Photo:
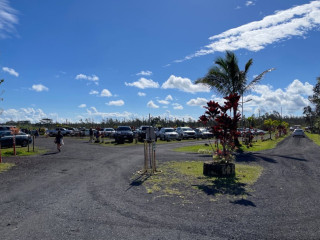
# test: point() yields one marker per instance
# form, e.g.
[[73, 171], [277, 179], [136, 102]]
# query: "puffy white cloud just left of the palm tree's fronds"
[[184, 84]]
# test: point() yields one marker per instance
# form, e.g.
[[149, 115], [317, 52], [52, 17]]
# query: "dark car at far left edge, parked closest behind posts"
[[22, 139]]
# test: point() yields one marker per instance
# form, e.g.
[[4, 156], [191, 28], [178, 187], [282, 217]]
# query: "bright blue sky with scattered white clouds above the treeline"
[[80, 59]]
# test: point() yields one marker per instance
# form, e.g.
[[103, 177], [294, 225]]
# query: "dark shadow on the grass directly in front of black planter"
[[229, 185]]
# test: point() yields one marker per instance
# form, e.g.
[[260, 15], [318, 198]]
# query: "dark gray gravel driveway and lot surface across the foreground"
[[84, 192]]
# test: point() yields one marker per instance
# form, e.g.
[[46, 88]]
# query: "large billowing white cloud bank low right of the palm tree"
[[292, 99]]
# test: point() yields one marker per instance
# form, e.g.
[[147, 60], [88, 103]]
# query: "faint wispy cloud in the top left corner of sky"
[[8, 19]]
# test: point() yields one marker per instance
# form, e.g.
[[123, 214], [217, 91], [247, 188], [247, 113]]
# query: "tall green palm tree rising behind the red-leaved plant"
[[226, 78]]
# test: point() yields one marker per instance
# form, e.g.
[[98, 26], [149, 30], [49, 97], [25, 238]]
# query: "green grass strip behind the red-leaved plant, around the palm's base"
[[256, 146]]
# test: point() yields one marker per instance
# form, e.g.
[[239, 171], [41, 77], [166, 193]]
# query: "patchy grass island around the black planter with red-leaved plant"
[[186, 180]]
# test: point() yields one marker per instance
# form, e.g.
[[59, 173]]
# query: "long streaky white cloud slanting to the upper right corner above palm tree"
[[254, 36]]
